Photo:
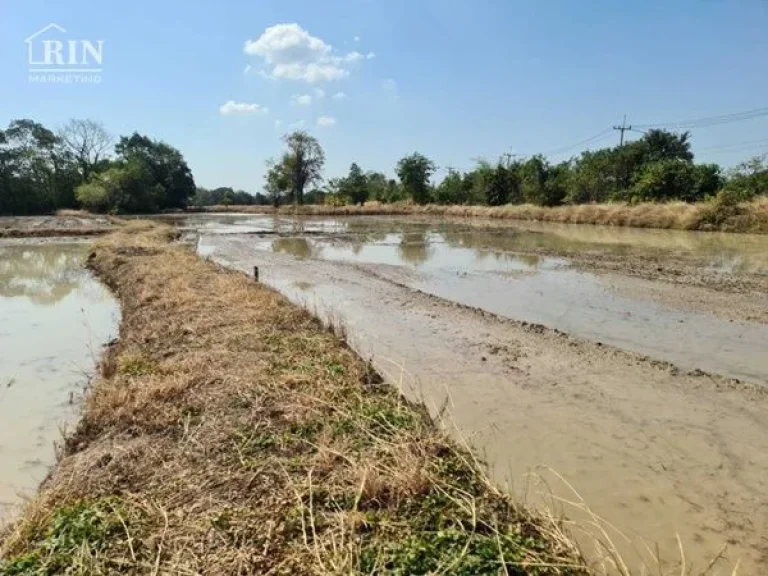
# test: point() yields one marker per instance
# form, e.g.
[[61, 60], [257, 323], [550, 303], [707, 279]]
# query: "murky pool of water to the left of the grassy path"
[[54, 319]]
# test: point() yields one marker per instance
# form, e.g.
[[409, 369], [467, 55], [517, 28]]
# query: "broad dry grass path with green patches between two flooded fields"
[[231, 433]]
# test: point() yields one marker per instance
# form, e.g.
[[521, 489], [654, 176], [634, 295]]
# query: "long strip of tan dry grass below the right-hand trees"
[[747, 217]]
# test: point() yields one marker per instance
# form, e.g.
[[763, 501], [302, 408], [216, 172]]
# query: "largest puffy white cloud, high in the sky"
[[290, 52]]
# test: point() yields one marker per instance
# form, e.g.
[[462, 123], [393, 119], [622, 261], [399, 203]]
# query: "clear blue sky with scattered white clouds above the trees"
[[453, 79]]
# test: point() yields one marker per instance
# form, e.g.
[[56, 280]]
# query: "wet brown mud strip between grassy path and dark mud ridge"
[[654, 450]]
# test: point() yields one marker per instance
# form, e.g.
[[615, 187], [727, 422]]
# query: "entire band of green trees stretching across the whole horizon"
[[82, 166]]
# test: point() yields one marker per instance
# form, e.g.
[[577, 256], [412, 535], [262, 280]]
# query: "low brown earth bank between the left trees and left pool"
[[66, 223]]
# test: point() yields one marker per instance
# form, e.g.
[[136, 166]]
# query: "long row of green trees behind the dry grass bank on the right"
[[658, 167]]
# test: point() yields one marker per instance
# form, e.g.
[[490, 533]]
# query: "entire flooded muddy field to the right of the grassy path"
[[628, 397]]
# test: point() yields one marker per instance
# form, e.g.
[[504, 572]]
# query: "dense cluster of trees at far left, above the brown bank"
[[82, 166]]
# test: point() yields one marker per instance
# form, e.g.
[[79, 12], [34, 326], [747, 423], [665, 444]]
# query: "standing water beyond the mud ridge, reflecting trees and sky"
[[493, 269]]
